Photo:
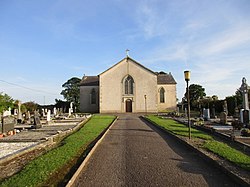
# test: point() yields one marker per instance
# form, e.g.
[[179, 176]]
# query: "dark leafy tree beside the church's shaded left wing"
[[72, 91]]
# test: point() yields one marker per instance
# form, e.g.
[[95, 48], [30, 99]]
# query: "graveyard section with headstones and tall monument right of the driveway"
[[235, 128]]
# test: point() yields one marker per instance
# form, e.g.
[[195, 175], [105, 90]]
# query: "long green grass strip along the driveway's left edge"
[[40, 169]]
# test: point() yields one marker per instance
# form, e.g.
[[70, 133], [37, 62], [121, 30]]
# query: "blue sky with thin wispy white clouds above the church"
[[45, 43]]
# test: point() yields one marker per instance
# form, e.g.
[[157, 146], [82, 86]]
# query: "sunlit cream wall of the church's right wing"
[[170, 97]]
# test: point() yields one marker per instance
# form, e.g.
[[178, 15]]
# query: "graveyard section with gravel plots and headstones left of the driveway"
[[25, 136]]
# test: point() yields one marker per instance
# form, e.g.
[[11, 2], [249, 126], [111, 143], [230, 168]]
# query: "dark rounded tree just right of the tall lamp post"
[[196, 92]]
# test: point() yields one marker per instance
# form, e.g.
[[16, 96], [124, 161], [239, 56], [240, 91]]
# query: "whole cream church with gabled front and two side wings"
[[128, 86]]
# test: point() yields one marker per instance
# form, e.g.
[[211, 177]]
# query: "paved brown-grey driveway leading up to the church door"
[[134, 154]]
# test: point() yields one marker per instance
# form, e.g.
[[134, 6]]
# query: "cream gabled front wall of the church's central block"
[[112, 97]]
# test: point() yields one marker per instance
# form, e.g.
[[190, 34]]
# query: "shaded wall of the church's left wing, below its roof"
[[85, 99]]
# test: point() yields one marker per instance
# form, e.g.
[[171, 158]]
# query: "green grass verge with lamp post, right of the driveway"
[[210, 144]]
